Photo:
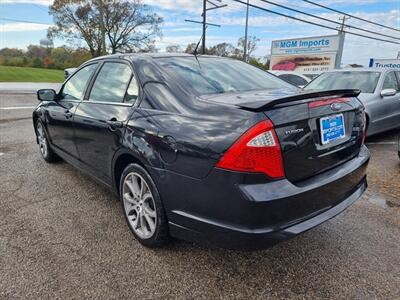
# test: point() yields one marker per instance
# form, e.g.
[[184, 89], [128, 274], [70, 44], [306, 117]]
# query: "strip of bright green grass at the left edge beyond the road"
[[22, 74]]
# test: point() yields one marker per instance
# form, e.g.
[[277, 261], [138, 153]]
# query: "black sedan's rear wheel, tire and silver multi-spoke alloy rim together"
[[142, 207]]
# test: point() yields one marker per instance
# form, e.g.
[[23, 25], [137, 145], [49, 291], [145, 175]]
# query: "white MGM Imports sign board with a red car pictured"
[[311, 55]]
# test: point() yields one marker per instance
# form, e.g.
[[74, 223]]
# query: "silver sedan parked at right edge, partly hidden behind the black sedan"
[[380, 93]]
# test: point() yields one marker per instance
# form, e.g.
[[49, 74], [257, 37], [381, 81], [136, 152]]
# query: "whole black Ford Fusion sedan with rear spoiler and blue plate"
[[207, 149]]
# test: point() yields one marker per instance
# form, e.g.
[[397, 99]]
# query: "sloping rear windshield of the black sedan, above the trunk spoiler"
[[211, 75]]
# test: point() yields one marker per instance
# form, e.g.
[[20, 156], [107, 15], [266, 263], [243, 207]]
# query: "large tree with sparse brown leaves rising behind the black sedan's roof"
[[129, 25]]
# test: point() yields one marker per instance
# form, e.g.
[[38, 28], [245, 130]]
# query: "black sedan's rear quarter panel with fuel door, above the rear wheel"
[[187, 144]]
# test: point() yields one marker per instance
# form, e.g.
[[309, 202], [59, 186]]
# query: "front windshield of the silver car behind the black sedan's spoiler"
[[364, 81]]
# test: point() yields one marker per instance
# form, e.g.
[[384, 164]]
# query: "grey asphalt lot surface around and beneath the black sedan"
[[63, 235]]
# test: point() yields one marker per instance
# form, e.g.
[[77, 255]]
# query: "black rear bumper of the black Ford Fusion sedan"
[[255, 216]]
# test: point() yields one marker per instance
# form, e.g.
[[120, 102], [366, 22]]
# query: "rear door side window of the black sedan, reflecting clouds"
[[111, 82]]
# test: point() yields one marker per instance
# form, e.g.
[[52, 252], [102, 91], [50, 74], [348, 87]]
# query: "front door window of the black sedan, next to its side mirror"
[[75, 87]]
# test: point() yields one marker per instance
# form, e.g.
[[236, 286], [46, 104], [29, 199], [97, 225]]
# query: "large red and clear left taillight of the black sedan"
[[257, 151]]
